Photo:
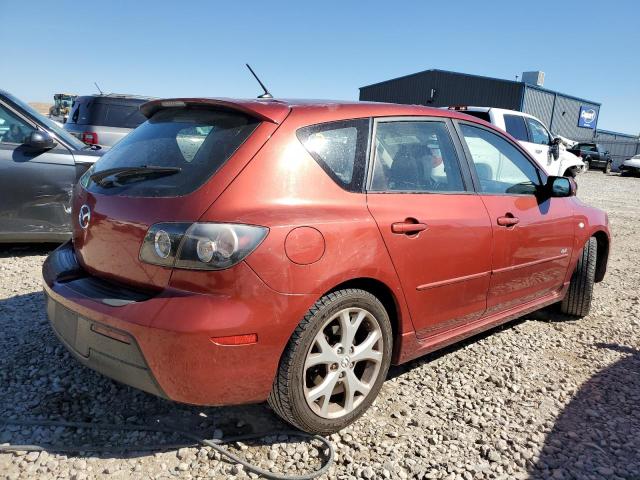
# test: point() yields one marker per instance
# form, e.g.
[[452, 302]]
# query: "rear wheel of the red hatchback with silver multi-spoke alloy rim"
[[335, 362]]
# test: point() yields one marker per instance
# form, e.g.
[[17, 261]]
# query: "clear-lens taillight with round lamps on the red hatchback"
[[200, 246]]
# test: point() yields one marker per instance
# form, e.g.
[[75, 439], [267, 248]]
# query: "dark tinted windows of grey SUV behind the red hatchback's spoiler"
[[103, 113]]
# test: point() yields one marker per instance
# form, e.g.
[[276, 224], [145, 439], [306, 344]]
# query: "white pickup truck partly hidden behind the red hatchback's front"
[[550, 151]]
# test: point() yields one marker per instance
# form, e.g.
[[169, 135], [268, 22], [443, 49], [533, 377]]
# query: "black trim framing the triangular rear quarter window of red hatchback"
[[357, 184]]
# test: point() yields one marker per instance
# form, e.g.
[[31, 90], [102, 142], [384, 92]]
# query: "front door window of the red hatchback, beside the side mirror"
[[501, 168]]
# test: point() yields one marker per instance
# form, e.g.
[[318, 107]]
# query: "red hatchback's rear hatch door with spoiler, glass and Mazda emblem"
[[192, 151]]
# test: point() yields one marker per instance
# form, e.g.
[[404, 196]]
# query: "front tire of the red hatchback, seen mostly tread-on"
[[577, 301]]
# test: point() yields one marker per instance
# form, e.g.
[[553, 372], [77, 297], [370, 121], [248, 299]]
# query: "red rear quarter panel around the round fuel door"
[[283, 188]]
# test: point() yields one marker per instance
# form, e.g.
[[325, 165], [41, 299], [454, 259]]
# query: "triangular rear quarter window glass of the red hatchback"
[[340, 149]]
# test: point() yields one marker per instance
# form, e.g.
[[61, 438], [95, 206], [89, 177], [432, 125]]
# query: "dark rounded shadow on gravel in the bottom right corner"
[[598, 433]]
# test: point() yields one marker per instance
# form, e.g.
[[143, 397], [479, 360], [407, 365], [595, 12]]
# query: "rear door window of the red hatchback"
[[415, 156]]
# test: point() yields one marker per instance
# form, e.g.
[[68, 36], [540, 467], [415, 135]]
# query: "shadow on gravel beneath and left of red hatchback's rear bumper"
[[40, 380]]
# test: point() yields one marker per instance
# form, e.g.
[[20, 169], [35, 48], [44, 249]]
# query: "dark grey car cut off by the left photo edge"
[[39, 164]]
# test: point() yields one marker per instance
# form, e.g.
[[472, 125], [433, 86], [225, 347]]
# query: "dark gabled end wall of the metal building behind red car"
[[450, 89]]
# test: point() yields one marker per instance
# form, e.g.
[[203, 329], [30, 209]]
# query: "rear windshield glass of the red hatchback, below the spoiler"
[[195, 141]]
